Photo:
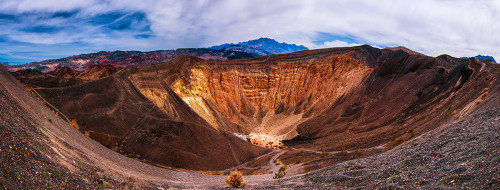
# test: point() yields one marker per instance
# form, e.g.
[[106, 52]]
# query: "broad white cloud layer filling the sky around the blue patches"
[[433, 27]]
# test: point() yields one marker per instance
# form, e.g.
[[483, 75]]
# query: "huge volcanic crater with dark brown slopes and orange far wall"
[[316, 108]]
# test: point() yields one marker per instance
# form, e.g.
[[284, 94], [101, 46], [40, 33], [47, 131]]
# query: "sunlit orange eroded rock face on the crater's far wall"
[[253, 95]]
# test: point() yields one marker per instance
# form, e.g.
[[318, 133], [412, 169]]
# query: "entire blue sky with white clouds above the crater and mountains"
[[35, 30]]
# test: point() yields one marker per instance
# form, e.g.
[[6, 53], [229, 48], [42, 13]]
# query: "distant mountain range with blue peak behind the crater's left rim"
[[249, 49]]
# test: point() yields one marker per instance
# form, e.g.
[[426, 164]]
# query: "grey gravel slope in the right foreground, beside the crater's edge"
[[461, 155]]
